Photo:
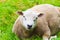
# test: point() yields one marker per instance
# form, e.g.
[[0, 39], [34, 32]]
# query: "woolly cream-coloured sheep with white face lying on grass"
[[42, 20]]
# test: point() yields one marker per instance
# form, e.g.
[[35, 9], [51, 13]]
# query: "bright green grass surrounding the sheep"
[[8, 15]]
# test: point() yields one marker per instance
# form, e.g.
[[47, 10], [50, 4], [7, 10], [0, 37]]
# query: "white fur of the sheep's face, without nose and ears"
[[30, 17]]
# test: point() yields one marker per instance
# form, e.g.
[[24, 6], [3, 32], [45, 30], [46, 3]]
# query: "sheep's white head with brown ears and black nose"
[[29, 19]]
